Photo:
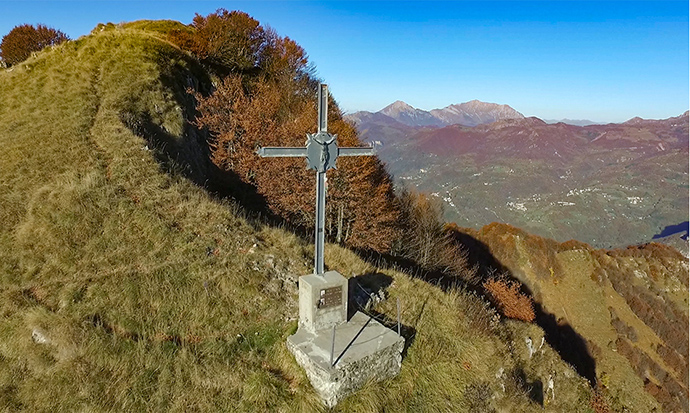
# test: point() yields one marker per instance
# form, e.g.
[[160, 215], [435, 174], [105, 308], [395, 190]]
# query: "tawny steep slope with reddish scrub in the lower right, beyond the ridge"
[[628, 306]]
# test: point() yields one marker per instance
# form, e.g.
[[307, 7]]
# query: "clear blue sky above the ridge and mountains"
[[603, 61]]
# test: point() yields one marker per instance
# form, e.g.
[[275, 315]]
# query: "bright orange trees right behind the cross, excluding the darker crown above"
[[243, 115]]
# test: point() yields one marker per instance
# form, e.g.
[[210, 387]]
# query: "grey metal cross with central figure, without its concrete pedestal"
[[321, 151]]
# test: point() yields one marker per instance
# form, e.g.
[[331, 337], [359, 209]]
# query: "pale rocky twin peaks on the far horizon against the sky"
[[470, 113]]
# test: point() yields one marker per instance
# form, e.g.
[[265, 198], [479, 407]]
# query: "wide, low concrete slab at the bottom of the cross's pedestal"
[[364, 349]]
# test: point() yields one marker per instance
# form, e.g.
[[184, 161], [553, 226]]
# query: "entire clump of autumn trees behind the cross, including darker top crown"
[[267, 98]]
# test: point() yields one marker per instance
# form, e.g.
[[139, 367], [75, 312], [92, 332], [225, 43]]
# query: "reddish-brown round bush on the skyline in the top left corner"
[[25, 39]]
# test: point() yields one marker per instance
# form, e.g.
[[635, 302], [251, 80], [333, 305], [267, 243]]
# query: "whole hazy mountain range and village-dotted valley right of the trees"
[[607, 185]]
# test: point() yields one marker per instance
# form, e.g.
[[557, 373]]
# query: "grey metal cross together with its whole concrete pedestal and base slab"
[[375, 352]]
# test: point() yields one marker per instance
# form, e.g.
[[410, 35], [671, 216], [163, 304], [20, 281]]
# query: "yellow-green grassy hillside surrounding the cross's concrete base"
[[126, 287]]
